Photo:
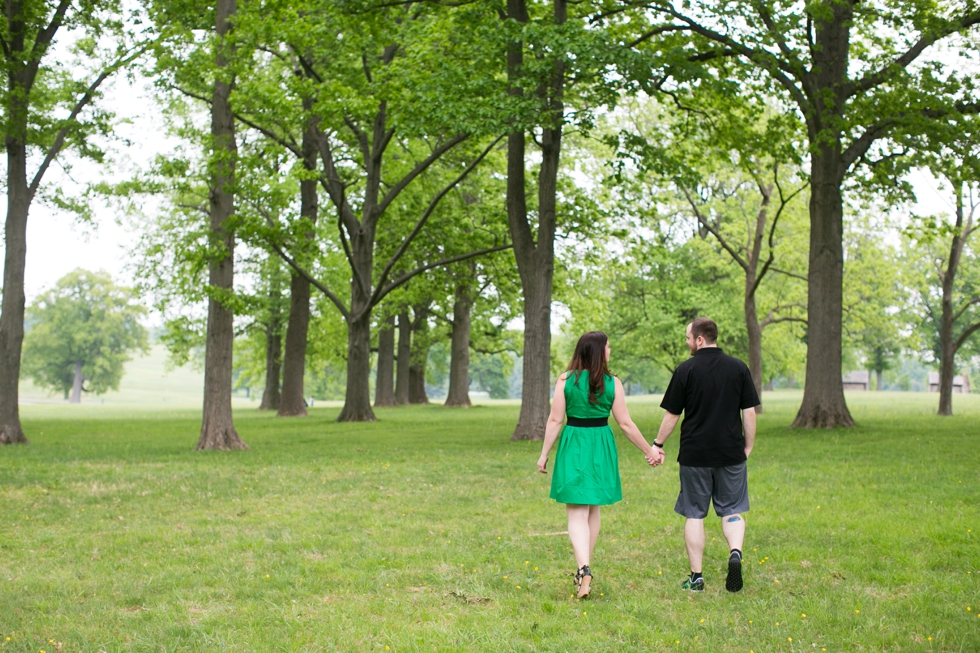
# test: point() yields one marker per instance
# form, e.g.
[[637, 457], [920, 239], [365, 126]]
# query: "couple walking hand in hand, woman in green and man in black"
[[715, 393]]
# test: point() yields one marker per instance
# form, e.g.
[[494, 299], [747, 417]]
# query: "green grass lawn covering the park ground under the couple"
[[430, 531]]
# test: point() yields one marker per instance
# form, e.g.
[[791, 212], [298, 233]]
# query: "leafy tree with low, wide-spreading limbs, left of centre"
[[389, 66]]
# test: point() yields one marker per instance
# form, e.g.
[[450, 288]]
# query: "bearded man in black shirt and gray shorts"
[[710, 388]]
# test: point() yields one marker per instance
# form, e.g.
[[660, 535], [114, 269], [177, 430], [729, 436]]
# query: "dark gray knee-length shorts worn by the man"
[[726, 487]]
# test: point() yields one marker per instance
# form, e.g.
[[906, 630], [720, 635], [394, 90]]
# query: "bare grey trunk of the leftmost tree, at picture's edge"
[[12, 313]]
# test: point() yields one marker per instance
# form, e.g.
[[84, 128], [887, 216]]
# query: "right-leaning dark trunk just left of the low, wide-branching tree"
[[293, 403]]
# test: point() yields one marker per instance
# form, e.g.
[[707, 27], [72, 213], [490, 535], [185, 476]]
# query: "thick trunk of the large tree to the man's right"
[[823, 396]]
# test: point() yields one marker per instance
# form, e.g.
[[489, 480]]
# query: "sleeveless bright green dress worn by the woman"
[[586, 466]]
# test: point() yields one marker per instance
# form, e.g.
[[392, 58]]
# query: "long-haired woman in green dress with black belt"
[[586, 473]]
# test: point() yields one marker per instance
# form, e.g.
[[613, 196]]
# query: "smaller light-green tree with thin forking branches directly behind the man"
[[736, 167]]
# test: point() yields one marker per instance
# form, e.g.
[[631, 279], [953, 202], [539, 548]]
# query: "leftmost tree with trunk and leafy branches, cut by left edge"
[[43, 101]]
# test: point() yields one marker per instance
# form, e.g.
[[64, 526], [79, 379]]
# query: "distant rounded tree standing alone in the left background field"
[[82, 331]]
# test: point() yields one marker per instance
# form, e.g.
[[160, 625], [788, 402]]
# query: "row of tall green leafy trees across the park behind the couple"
[[368, 144]]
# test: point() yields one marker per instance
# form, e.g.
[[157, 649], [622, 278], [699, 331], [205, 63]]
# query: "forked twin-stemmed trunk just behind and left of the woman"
[[535, 259]]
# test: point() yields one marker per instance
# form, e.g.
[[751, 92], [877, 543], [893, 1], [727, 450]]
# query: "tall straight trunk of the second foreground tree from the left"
[[218, 428]]
